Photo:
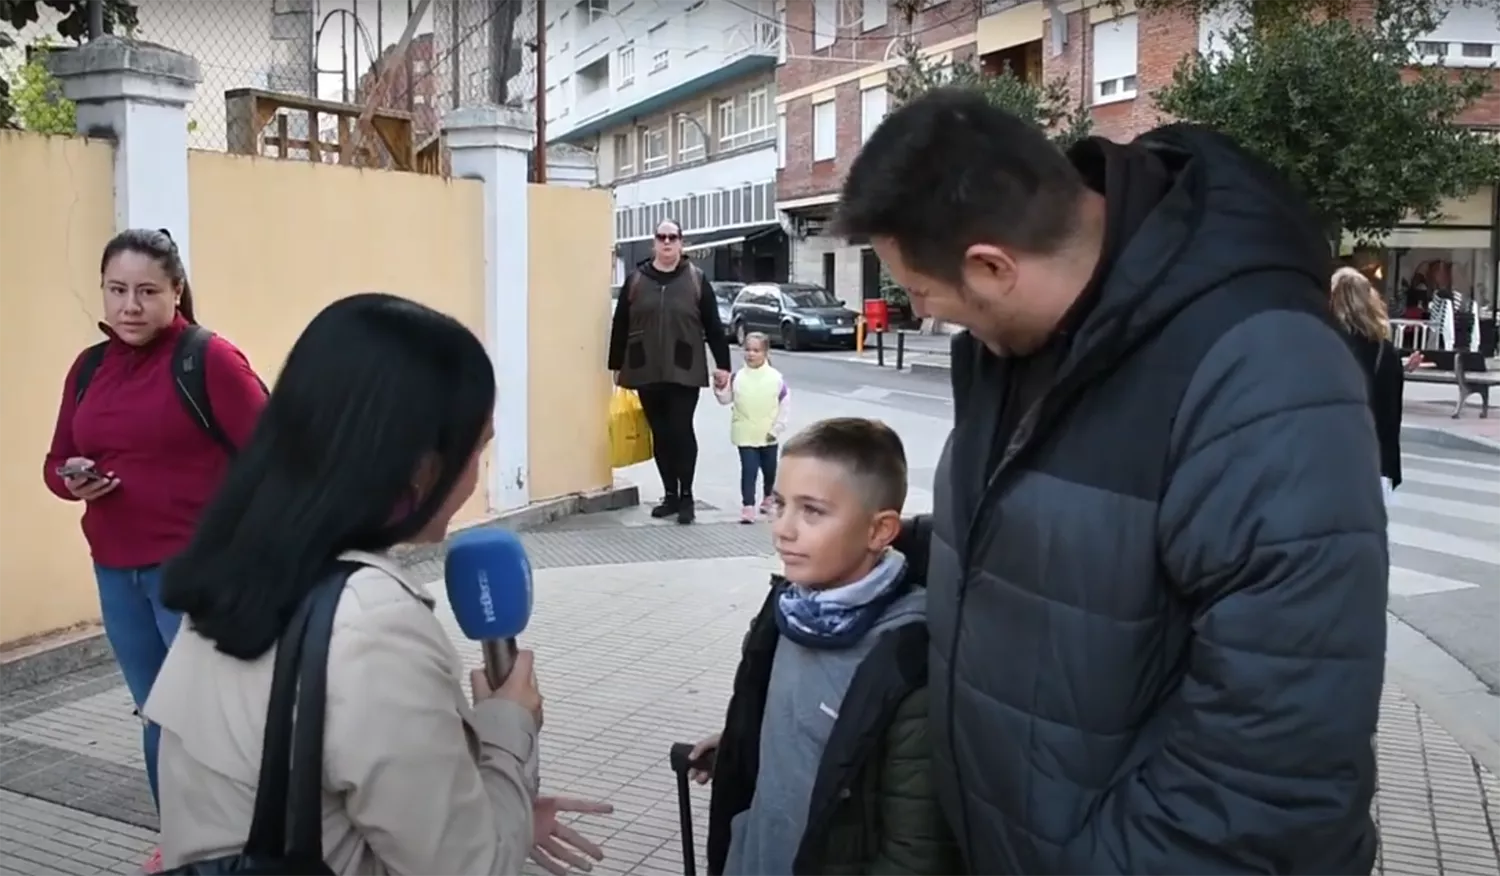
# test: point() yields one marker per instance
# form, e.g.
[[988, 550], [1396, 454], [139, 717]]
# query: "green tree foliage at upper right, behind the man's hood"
[[1339, 109]]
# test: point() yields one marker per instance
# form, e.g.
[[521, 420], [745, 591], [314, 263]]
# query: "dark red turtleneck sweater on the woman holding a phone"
[[134, 424]]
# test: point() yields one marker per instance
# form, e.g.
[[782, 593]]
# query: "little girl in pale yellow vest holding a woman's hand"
[[761, 406]]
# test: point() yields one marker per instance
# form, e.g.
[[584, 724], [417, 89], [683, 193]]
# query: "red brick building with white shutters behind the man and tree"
[[833, 92]]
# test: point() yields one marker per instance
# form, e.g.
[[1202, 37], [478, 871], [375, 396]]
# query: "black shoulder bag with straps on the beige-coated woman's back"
[[287, 832]]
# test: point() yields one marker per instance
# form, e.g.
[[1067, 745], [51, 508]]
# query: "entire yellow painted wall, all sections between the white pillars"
[[272, 244]]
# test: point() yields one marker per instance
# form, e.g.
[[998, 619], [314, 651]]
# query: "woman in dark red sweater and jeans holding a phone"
[[140, 451]]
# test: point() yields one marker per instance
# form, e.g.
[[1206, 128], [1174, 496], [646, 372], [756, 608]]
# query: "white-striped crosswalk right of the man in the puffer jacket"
[[1426, 523]]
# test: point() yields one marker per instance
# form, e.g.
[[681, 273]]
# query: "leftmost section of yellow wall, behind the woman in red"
[[56, 214]]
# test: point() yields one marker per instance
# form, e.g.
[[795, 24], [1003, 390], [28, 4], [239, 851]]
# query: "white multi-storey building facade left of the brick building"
[[677, 103]]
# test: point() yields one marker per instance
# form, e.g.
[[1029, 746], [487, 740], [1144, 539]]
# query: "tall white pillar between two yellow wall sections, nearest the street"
[[493, 145]]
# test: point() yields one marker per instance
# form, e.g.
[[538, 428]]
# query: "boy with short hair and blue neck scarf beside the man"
[[823, 766]]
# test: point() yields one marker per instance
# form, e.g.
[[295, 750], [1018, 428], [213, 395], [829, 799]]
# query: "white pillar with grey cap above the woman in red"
[[137, 95]]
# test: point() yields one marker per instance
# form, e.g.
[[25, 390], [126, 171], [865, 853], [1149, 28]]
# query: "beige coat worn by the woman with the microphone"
[[416, 781]]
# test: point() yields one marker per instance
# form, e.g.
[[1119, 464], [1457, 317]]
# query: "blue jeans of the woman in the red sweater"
[[140, 631]]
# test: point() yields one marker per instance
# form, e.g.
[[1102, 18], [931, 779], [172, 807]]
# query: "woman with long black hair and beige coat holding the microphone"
[[373, 439]]
